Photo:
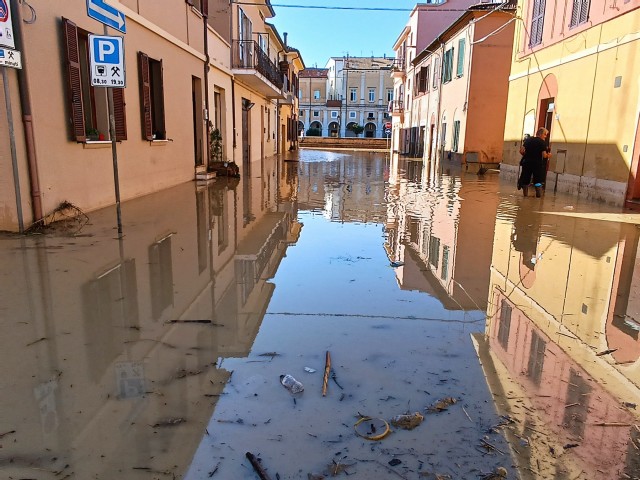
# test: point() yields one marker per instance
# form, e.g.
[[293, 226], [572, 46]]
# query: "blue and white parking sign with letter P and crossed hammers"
[[106, 55]]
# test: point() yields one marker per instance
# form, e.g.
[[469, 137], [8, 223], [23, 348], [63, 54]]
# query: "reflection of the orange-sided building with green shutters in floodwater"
[[441, 228]]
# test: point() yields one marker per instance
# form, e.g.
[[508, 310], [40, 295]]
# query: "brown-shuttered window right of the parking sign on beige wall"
[[152, 98]]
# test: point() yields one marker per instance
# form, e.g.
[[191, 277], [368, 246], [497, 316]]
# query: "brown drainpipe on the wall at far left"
[[27, 119]]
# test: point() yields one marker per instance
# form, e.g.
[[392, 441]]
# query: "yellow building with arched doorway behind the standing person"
[[575, 71]]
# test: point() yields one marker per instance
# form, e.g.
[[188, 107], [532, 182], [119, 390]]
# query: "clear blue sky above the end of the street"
[[323, 33]]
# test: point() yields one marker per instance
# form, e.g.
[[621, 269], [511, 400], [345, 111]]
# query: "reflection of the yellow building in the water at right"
[[561, 347]]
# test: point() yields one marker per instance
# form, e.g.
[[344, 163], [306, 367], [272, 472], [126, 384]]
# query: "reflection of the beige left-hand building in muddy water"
[[110, 349]]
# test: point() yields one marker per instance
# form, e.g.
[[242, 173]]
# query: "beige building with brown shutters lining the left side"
[[187, 73]]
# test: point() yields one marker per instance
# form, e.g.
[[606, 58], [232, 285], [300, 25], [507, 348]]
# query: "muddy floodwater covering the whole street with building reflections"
[[509, 324]]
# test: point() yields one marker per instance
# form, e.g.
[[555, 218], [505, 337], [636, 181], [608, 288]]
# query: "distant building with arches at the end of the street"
[[349, 91]]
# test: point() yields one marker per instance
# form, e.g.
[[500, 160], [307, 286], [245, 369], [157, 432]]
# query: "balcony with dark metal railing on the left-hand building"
[[254, 68]]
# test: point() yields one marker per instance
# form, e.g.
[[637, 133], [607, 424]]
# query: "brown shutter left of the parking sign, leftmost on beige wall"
[[74, 83]]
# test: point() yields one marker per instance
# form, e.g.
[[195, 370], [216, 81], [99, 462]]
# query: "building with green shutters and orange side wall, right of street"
[[459, 86]]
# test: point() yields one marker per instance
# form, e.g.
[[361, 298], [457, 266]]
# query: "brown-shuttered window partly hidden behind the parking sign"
[[88, 110]]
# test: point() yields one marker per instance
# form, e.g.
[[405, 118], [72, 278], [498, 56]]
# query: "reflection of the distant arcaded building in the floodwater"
[[345, 188]]
